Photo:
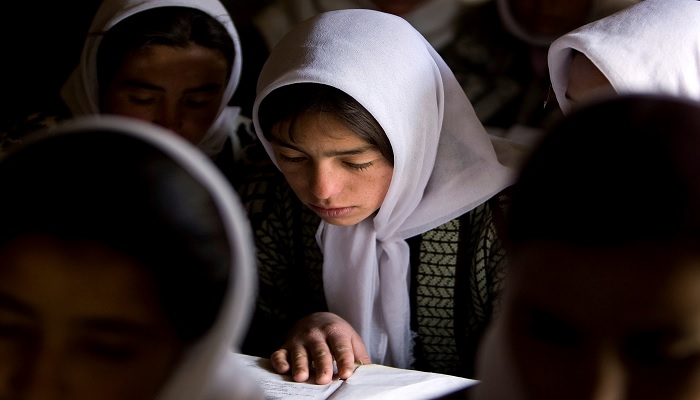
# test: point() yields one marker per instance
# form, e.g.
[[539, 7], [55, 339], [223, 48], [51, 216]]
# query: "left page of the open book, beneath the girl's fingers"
[[278, 387]]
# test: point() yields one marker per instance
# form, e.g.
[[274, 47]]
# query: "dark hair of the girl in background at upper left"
[[165, 26]]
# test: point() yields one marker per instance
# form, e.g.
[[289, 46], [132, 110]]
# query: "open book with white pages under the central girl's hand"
[[368, 382]]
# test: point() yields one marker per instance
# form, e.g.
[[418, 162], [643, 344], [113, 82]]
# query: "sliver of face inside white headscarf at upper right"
[[586, 82]]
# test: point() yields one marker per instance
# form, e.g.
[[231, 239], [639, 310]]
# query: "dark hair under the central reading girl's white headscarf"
[[291, 101]]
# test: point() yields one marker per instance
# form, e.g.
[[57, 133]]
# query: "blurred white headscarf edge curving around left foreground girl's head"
[[208, 369]]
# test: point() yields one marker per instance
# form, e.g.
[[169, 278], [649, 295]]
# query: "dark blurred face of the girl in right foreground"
[[614, 324]]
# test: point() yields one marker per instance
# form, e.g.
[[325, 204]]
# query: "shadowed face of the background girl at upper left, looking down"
[[178, 88]]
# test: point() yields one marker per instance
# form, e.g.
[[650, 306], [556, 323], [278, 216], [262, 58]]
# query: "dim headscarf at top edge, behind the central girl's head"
[[434, 19]]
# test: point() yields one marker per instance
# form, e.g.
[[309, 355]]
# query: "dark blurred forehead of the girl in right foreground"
[[624, 287]]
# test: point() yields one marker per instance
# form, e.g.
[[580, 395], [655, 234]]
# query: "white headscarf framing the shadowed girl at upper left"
[[80, 92]]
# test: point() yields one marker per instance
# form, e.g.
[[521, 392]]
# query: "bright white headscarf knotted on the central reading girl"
[[444, 161]]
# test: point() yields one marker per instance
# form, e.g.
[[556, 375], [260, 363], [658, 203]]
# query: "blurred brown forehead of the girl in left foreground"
[[71, 279]]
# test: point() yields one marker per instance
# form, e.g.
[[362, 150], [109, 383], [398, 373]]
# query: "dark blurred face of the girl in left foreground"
[[79, 321]]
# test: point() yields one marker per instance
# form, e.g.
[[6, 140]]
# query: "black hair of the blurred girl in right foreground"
[[619, 171]]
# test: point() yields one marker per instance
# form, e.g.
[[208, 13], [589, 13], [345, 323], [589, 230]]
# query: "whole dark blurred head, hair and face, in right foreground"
[[603, 298]]
